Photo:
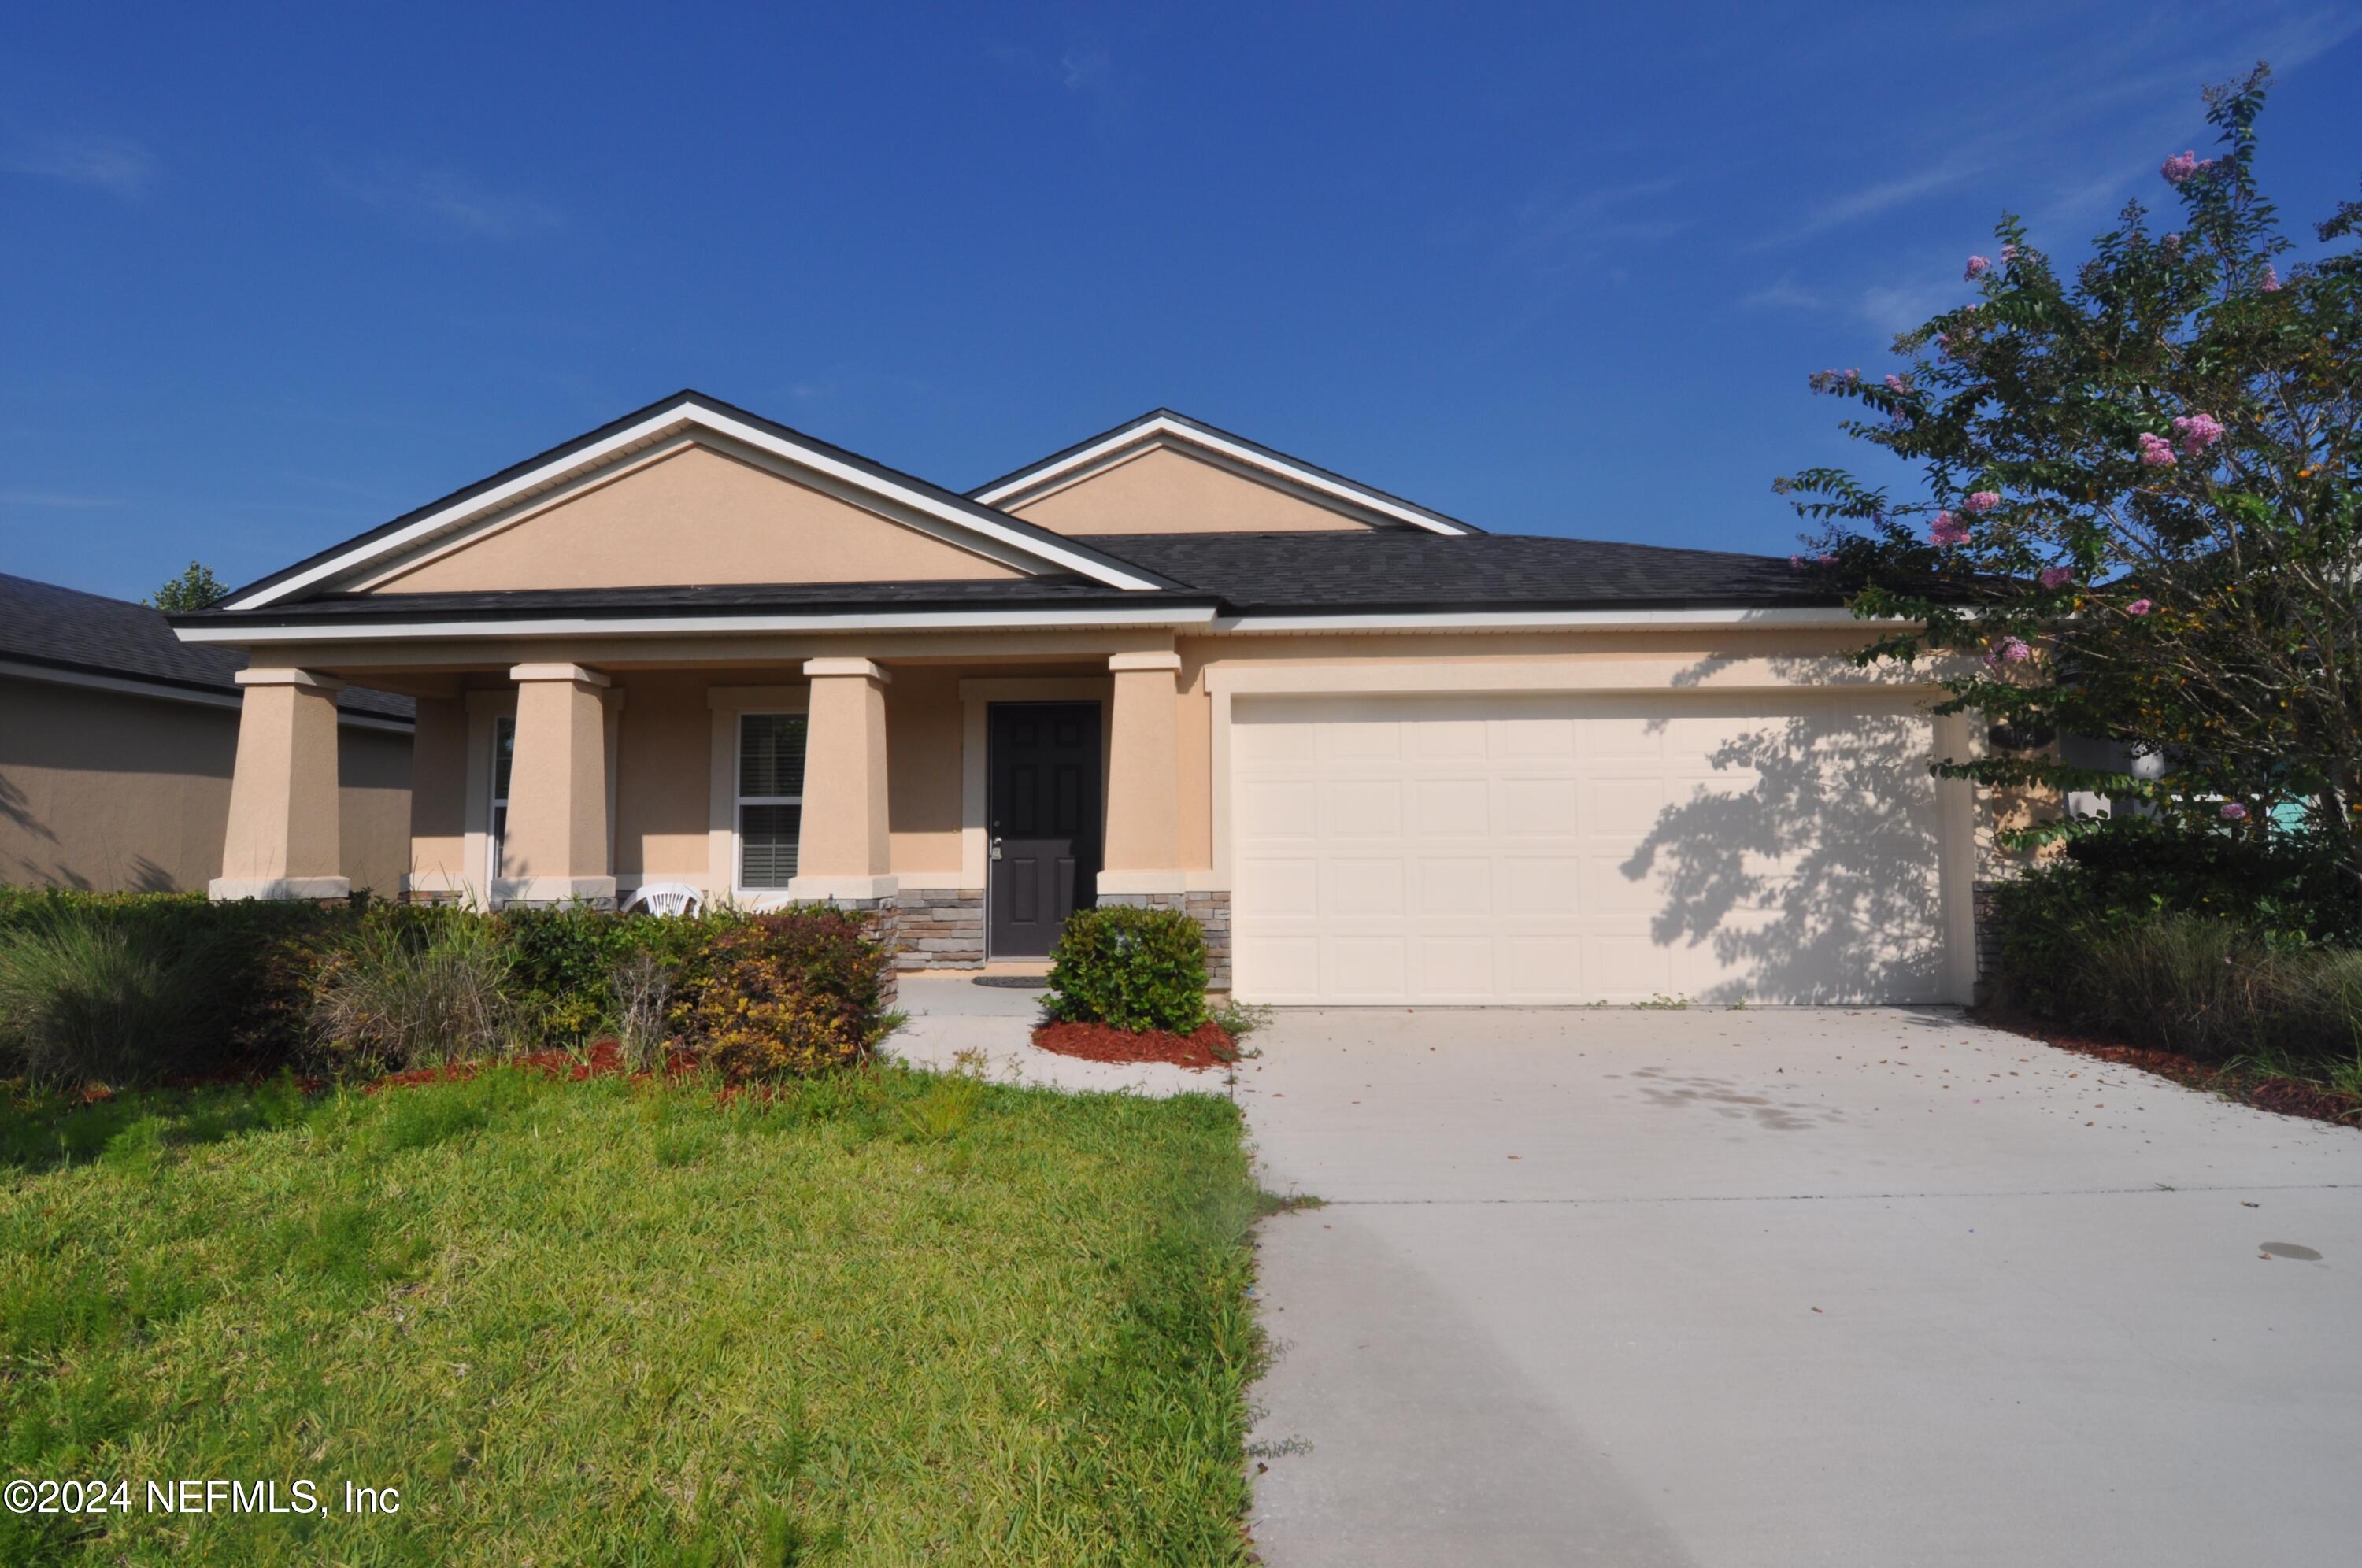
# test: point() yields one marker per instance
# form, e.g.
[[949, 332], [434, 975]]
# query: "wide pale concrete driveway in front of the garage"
[[1792, 1288]]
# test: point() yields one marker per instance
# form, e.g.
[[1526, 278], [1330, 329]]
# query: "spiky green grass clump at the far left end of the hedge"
[[96, 1002]]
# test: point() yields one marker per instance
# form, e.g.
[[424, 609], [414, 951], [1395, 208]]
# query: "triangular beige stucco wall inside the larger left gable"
[[693, 516]]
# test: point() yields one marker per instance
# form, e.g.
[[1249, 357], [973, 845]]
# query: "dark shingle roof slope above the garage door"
[[1399, 570]]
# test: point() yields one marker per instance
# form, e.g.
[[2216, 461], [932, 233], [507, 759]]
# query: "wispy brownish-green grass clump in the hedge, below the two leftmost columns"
[[415, 995]]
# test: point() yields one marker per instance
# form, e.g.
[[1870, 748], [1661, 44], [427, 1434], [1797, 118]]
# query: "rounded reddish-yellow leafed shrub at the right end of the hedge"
[[785, 995]]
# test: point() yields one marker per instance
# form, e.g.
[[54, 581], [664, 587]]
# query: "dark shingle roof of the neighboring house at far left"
[[96, 636]]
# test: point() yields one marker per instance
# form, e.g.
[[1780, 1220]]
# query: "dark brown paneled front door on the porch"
[[1043, 818]]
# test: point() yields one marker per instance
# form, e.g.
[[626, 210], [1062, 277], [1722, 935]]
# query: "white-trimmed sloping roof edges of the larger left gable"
[[689, 410]]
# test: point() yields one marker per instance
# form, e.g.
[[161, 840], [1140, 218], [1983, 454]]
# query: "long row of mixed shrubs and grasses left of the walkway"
[[126, 988]]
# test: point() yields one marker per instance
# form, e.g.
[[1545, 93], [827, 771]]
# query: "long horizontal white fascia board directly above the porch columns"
[[592, 627]]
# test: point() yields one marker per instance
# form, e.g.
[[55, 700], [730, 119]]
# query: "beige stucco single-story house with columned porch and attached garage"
[[1385, 757]]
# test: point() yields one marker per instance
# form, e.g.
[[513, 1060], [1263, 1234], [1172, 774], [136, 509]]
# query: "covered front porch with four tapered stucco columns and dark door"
[[901, 780]]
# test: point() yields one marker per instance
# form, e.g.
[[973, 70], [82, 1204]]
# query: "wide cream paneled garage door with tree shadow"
[[1586, 849]]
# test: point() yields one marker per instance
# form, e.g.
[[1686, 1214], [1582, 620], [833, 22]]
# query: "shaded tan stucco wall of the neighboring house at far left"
[[122, 792]]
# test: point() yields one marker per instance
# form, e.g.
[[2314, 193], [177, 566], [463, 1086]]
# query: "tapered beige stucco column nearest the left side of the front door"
[[844, 851]]
